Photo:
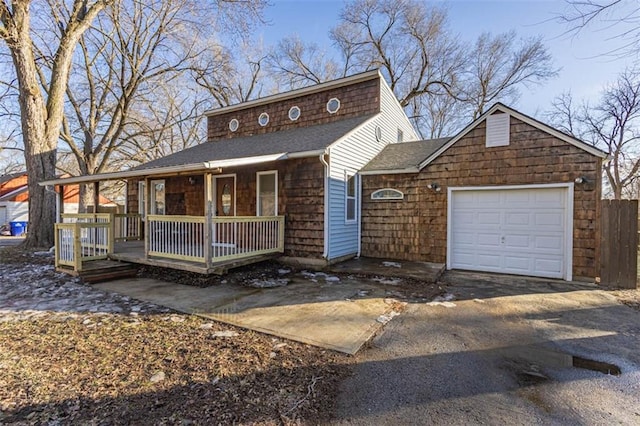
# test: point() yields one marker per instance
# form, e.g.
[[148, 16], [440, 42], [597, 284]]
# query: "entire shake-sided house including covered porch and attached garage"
[[333, 171]]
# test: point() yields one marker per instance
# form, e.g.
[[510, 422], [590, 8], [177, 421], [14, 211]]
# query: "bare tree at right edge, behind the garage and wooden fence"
[[613, 125]]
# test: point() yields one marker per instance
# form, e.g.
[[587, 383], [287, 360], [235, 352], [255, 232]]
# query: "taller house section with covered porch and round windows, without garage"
[[276, 175]]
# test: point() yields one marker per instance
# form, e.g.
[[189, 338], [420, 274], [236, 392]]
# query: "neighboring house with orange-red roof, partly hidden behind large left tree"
[[14, 198]]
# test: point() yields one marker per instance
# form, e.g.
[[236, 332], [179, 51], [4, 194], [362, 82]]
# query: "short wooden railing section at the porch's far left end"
[[80, 242]]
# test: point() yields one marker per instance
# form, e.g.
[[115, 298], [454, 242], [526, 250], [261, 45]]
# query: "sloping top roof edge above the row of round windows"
[[344, 81]]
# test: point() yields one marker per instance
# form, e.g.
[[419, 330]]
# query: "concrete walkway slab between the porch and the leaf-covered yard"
[[314, 308]]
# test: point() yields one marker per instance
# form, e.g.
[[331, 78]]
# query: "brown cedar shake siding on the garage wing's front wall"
[[416, 228]]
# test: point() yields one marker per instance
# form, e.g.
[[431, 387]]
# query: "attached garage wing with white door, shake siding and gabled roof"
[[507, 194]]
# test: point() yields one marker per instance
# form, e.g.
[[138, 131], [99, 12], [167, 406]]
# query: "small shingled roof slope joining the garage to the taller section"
[[404, 155]]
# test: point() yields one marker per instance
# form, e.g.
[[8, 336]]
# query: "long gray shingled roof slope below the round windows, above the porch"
[[297, 140]]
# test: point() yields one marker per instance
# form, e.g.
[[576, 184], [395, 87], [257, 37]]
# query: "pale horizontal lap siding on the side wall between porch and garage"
[[352, 153]]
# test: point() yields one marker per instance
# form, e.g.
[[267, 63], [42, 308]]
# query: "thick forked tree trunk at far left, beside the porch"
[[42, 110]]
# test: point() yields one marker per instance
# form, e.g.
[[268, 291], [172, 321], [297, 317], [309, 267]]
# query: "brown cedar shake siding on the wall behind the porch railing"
[[300, 200]]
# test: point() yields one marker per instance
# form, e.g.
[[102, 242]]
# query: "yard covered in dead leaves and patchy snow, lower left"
[[71, 354]]
